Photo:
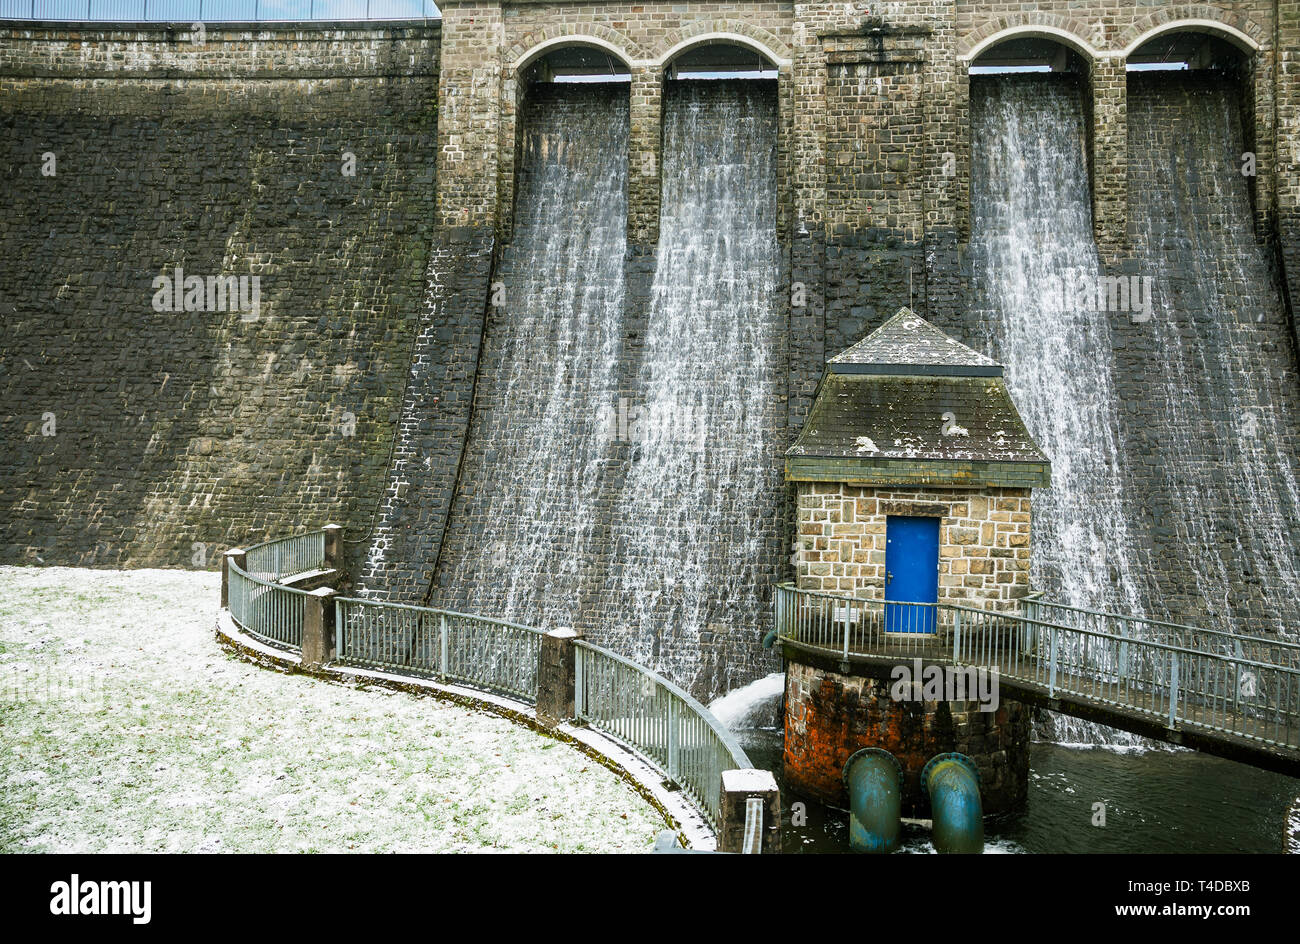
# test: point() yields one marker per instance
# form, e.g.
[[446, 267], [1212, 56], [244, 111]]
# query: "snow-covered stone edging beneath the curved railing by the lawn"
[[692, 828]]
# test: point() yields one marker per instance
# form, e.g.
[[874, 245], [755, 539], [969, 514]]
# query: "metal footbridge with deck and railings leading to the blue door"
[[1214, 691]]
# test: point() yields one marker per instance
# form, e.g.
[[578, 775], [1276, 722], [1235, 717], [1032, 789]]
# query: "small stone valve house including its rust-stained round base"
[[913, 473]]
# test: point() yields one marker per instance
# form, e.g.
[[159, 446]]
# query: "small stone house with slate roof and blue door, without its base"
[[911, 427]]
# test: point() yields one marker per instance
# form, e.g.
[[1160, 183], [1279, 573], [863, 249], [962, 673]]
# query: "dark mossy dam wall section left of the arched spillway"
[[174, 435]]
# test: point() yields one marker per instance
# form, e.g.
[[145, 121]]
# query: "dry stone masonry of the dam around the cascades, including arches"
[[223, 158]]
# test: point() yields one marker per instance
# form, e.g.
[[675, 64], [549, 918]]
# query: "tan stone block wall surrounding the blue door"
[[983, 540]]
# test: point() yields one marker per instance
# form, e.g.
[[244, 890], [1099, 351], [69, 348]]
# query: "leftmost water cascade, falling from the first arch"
[[528, 535]]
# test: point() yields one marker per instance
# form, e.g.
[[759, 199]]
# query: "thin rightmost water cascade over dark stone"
[[1229, 427]]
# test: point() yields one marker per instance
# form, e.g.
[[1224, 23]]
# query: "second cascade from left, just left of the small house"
[[700, 510]]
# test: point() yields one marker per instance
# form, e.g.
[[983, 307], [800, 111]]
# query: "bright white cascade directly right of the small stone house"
[[1033, 252]]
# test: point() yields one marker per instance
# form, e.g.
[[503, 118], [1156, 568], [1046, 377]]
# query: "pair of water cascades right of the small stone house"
[[1172, 427]]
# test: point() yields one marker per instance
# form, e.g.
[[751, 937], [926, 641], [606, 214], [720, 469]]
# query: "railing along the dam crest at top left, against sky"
[[216, 11]]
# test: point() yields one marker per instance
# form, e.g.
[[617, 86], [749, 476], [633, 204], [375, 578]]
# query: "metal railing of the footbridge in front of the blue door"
[[1102, 659]]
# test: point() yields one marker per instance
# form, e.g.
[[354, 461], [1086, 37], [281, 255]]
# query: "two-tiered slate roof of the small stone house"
[[913, 413]]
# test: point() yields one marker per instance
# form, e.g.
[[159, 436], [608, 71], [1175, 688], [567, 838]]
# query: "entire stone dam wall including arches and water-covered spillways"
[[389, 383]]
